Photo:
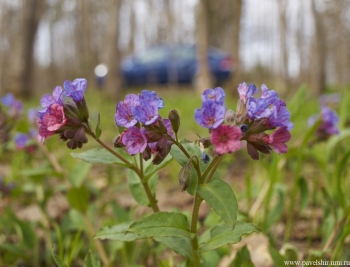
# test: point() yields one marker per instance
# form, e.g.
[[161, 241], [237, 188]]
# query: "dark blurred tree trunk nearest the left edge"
[[33, 10]]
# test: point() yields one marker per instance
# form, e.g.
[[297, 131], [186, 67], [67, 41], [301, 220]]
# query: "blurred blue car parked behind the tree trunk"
[[173, 64]]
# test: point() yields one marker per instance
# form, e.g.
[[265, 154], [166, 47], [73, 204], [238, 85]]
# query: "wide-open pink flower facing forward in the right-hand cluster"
[[226, 139]]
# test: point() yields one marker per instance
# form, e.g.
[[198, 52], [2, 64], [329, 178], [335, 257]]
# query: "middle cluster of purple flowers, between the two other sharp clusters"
[[146, 132]]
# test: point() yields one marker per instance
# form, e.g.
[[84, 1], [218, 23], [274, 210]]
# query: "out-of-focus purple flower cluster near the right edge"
[[329, 121]]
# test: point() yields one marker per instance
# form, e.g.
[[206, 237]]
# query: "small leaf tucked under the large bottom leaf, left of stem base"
[[181, 245]]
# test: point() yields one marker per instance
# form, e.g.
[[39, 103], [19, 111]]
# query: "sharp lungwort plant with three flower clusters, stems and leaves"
[[148, 142]]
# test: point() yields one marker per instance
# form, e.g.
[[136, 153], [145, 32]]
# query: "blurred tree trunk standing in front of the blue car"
[[203, 79]]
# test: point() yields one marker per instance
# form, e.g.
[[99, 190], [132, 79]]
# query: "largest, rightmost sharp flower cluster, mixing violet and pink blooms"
[[253, 117]]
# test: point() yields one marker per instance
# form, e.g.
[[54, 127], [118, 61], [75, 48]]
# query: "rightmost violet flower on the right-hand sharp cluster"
[[280, 116]]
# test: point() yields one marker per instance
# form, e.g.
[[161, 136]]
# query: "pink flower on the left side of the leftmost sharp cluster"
[[52, 120]]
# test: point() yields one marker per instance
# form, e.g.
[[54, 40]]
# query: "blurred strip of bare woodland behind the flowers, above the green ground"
[[281, 43]]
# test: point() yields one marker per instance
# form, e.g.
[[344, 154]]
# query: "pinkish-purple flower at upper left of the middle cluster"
[[124, 117]]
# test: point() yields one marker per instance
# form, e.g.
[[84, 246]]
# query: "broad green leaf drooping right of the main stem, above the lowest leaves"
[[220, 197]]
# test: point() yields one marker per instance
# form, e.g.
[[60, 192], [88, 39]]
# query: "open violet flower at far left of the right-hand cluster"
[[211, 115]]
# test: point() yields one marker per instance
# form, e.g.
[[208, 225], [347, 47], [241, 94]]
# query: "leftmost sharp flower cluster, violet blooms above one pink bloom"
[[68, 119]]
